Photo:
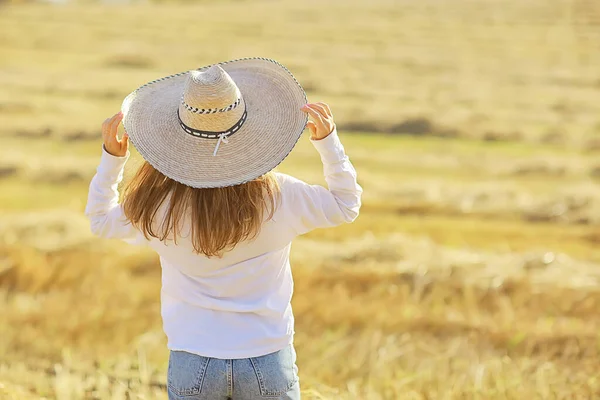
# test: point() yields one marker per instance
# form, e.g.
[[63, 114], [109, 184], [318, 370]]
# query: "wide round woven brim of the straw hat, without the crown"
[[273, 126]]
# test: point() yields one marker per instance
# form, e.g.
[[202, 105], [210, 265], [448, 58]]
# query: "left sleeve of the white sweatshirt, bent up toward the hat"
[[106, 216]]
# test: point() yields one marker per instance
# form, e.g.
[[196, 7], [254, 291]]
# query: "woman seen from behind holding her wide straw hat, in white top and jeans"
[[208, 202]]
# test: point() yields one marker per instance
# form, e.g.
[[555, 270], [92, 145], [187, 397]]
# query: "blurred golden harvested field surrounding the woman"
[[474, 125]]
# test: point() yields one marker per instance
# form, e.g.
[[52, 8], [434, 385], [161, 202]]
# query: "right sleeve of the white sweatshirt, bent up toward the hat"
[[312, 206]]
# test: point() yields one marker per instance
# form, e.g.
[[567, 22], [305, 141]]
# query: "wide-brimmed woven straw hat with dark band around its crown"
[[220, 125]]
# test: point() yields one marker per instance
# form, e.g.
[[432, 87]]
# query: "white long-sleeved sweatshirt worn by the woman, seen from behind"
[[237, 306]]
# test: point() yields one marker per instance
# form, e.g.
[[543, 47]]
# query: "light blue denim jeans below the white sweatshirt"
[[272, 376]]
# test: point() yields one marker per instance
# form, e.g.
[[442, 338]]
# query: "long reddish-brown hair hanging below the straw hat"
[[219, 218]]
